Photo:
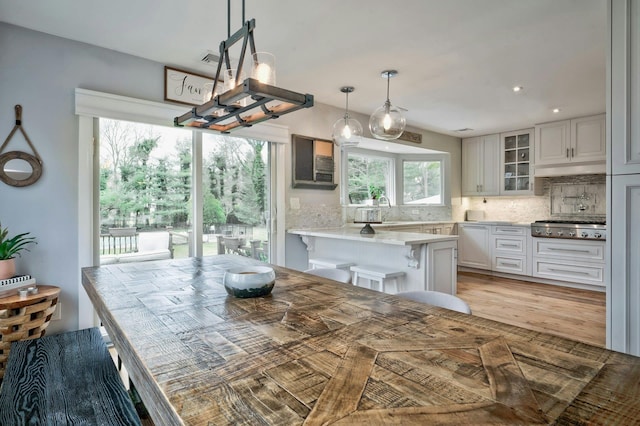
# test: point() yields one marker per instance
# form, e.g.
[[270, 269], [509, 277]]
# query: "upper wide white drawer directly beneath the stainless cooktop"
[[570, 249]]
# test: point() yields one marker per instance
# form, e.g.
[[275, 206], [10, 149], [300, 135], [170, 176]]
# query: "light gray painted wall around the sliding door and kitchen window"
[[40, 72]]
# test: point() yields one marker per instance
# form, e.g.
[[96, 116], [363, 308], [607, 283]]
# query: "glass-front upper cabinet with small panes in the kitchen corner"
[[516, 167]]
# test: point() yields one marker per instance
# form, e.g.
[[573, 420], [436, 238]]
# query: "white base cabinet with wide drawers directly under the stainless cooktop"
[[579, 261]]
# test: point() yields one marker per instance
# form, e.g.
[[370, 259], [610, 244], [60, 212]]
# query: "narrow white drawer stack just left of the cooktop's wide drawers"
[[510, 252]]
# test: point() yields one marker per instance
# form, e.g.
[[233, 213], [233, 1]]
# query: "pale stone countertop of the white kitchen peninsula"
[[381, 237]]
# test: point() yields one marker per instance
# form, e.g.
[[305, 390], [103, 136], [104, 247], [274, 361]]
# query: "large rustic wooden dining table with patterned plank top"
[[316, 351]]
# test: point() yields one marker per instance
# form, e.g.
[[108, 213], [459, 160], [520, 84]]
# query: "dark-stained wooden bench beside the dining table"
[[67, 378]]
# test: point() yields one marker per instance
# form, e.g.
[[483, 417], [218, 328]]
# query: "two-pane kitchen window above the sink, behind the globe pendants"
[[419, 179]]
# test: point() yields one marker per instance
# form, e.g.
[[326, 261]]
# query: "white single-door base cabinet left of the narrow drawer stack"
[[474, 250]]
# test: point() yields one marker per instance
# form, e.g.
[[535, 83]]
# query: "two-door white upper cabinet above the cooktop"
[[574, 146]]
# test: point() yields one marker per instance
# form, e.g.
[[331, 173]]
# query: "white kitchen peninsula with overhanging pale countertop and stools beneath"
[[428, 260]]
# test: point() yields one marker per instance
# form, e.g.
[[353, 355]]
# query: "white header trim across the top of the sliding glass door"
[[98, 104]]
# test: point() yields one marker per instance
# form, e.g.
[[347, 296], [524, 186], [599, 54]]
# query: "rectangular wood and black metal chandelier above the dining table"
[[243, 103]]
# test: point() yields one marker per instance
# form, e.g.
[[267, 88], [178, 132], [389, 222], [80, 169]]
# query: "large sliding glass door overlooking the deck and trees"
[[151, 183]]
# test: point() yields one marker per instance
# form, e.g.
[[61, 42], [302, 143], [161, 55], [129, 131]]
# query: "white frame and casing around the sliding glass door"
[[91, 104]]
